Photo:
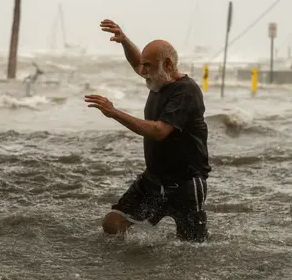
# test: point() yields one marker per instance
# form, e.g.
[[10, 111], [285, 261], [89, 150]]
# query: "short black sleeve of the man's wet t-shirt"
[[176, 111]]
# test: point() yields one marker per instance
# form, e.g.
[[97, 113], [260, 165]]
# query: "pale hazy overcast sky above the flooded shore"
[[144, 21]]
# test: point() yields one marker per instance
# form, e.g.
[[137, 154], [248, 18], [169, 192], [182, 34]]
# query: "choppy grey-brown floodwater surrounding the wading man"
[[62, 165]]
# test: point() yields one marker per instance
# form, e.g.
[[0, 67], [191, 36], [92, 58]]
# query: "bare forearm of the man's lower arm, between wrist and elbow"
[[142, 127]]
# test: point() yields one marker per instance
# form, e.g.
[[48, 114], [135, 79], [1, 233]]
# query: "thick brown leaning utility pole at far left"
[[12, 63]]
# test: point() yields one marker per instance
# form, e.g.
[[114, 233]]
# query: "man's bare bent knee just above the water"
[[114, 223]]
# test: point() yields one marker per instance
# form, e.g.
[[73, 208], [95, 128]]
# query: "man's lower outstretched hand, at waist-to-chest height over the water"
[[101, 103]]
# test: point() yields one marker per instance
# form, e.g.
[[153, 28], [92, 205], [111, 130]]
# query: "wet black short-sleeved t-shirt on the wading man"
[[184, 152]]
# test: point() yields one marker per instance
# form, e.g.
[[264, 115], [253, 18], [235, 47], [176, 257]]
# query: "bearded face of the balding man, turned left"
[[154, 72]]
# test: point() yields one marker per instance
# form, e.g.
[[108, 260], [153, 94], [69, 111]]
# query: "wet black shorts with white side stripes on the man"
[[148, 199]]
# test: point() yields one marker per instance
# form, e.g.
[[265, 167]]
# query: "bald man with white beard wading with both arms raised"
[[175, 144]]
